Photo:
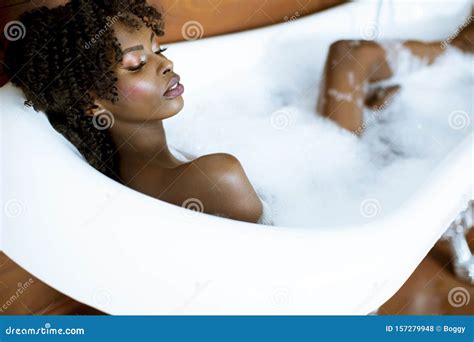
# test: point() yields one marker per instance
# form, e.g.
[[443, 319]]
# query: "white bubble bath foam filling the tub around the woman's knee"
[[309, 171]]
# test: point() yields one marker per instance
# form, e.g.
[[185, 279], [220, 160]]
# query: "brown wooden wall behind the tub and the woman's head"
[[186, 18]]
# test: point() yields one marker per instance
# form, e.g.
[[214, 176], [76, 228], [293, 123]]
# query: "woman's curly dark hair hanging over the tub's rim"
[[67, 59]]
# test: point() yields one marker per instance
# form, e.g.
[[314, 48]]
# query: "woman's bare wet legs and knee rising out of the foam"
[[366, 62]]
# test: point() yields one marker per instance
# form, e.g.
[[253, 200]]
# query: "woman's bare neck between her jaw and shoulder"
[[142, 145]]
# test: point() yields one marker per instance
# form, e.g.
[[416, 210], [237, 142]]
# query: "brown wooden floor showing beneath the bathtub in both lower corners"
[[431, 290]]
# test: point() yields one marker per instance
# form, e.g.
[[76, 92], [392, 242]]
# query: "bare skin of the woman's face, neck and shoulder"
[[146, 164]]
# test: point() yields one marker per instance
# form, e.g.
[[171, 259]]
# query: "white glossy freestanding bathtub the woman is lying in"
[[123, 252]]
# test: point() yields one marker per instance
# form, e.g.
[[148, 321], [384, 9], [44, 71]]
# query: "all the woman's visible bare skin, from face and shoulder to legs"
[[218, 181]]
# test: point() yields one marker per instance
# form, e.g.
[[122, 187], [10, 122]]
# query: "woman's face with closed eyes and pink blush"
[[148, 87]]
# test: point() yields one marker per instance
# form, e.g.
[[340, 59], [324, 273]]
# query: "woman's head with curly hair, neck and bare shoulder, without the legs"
[[90, 61]]
